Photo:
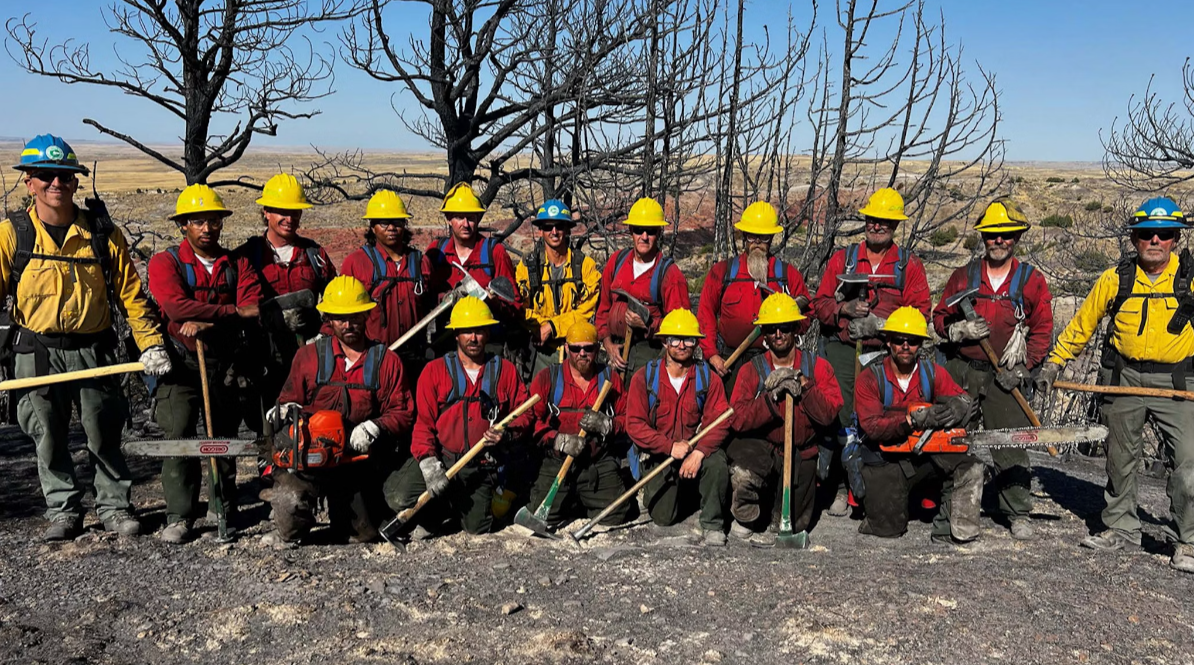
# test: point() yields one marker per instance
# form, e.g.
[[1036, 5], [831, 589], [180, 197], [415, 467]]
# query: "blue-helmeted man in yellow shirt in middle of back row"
[[559, 285]]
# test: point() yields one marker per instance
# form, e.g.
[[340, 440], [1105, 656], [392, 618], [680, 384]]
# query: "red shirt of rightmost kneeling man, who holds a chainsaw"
[[883, 426]]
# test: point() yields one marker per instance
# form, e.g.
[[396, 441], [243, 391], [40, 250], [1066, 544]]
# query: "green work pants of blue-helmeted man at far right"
[[1127, 417]]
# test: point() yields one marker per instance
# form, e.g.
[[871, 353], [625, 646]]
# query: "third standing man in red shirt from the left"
[[397, 276]]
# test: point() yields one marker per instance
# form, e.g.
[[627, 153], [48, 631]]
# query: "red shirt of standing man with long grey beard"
[[731, 313]]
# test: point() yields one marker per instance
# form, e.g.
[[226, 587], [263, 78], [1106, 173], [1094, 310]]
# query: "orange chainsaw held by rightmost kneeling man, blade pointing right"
[[958, 440]]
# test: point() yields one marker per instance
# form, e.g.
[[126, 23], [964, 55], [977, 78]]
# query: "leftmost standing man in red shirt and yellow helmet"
[[206, 293]]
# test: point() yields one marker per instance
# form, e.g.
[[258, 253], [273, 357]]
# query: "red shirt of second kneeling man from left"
[[457, 428]]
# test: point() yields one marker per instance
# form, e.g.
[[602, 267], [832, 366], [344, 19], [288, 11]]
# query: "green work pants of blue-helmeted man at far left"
[[45, 415]]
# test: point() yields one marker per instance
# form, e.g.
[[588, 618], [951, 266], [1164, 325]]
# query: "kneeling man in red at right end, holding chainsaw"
[[884, 393]]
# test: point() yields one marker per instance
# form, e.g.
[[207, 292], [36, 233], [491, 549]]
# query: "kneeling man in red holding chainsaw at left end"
[[361, 381]]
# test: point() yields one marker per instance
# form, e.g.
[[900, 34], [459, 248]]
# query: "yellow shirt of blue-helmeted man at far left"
[[57, 297]]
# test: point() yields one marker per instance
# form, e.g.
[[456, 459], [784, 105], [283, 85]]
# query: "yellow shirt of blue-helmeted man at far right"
[[1154, 344]]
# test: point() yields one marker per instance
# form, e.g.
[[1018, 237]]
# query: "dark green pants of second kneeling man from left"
[[469, 498]]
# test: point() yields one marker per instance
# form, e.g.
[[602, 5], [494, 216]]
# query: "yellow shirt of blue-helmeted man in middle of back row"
[[578, 300]]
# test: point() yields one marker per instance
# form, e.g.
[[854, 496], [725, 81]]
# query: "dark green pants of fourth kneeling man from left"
[[668, 492]]
